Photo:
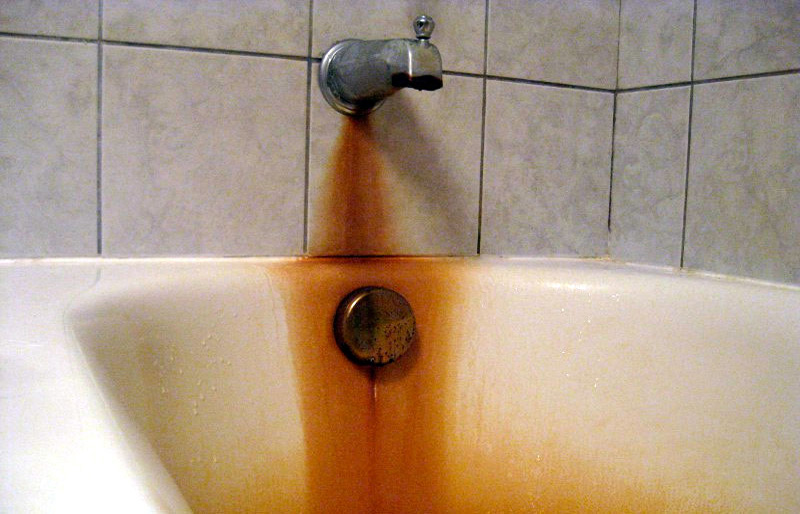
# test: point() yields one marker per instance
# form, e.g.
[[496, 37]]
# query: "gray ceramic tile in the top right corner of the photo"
[[738, 37]]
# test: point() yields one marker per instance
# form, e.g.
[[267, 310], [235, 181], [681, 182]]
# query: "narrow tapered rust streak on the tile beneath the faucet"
[[353, 218]]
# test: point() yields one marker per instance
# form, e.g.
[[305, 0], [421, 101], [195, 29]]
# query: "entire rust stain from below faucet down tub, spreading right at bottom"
[[384, 440]]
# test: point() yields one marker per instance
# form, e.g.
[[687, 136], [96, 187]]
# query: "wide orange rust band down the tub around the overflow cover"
[[354, 463]]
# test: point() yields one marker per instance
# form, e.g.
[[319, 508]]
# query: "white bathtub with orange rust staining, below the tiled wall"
[[533, 385]]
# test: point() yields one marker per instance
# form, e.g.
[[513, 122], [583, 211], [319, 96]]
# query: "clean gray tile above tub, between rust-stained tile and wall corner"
[[546, 172]]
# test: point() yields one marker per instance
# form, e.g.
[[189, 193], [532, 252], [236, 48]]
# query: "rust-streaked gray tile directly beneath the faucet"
[[404, 180]]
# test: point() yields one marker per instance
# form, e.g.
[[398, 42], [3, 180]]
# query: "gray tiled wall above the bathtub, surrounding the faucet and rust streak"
[[659, 132]]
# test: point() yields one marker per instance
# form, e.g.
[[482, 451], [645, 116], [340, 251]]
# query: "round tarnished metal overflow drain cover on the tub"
[[374, 325]]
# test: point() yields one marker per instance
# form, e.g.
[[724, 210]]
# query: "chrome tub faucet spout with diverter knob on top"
[[356, 76]]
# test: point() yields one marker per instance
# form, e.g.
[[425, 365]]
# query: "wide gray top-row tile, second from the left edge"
[[271, 26]]
